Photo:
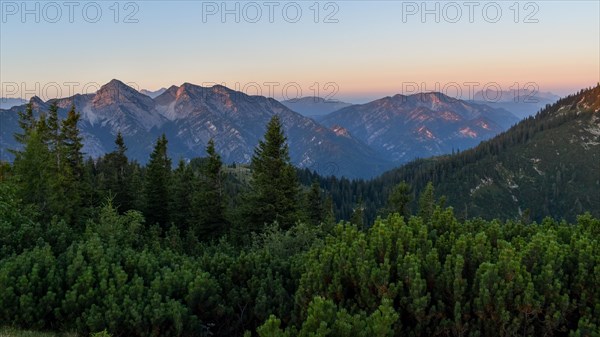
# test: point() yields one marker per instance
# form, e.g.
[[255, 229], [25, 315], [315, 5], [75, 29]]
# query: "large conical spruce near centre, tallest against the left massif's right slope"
[[274, 187]]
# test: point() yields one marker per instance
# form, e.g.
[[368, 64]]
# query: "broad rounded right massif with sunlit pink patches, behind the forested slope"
[[402, 128]]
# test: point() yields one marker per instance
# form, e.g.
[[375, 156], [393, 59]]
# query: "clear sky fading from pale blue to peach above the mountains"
[[353, 51]]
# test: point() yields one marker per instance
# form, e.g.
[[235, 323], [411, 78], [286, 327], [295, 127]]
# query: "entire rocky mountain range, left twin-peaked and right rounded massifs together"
[[357, 141]]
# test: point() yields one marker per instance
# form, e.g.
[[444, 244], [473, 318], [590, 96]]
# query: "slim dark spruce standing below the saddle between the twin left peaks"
[[157, 185]]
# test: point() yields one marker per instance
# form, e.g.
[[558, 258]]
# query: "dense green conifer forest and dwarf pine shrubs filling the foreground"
[[199, 248]]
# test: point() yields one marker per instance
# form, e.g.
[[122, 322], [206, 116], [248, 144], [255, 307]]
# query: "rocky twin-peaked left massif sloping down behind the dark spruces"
[[190, 116]]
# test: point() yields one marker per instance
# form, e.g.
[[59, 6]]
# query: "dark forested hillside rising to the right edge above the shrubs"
[[547, 165]]
